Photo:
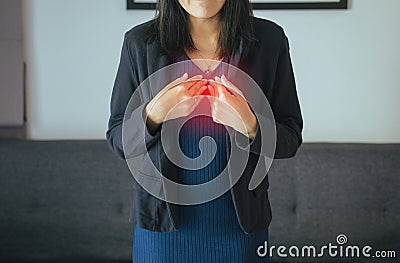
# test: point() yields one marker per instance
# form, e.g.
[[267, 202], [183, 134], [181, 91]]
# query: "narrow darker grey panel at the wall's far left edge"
[[11, 64]]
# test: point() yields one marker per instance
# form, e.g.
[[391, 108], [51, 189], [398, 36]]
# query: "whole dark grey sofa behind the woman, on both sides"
[[69, 201]]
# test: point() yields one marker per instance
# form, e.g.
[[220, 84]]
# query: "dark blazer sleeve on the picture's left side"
[[139, 138]]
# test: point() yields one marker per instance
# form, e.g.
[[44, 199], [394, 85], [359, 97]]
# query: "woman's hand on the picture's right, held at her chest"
[[231, 107]]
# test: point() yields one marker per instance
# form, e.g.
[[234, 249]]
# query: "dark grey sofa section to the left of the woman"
[[64, 200]]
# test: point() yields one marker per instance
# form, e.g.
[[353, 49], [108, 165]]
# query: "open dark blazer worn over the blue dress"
[[268, 63]]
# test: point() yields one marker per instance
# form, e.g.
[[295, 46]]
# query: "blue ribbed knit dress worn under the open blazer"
[[208, 232]]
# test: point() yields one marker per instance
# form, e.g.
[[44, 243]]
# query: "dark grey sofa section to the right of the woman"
[[329, 189]]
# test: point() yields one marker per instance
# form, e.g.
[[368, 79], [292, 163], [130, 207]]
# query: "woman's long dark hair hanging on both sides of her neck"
[[173, 30]]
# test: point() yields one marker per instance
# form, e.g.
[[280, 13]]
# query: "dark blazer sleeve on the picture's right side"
[[286, 109]]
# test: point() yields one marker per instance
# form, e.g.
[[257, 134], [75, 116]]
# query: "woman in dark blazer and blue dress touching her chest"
[[231, 227]]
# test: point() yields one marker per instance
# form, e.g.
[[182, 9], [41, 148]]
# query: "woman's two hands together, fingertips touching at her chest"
[[228, 104]]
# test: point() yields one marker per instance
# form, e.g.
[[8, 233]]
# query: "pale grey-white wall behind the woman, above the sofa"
[[345, 61]]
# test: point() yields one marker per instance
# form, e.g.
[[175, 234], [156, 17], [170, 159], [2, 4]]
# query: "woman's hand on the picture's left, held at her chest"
[[174, 94]]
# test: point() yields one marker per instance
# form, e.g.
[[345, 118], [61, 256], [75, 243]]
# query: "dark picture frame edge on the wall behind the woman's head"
[[261, 4]]
